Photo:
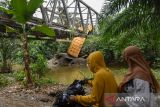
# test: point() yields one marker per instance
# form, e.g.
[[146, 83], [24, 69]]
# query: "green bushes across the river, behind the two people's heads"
[[113, 46]]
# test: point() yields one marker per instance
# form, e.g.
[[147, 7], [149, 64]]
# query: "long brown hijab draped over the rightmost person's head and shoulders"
[[138, 68]]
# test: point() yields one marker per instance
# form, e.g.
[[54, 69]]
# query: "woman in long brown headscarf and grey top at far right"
[[139, 80]]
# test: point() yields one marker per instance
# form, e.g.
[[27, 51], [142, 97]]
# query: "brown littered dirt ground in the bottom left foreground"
[[17, 96]]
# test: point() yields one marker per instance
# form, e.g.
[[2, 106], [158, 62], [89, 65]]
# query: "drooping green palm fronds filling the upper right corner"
[[133, 22]]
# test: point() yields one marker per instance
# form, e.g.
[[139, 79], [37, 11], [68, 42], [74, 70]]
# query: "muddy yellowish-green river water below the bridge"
[[67, 75]]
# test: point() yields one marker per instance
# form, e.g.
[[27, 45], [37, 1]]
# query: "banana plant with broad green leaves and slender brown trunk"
[[23, 11]]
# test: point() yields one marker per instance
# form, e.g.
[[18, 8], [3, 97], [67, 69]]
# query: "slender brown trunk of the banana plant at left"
[[26, 57]]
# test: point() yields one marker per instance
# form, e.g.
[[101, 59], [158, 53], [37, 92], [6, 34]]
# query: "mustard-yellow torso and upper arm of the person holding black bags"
[[105, 82]]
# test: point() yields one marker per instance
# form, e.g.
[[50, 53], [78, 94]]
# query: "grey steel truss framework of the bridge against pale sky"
[[66, 16]]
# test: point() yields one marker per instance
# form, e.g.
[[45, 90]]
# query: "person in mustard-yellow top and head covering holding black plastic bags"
[[103, 82]]
